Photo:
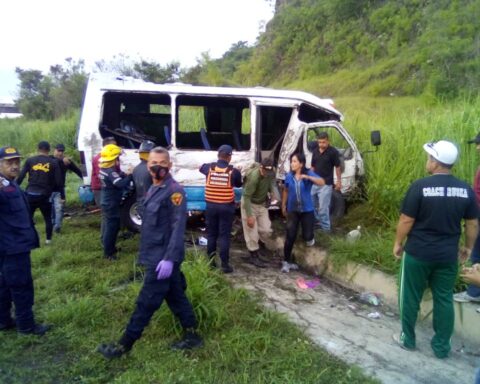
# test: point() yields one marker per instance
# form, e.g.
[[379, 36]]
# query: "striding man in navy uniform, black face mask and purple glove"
[[162, 251]]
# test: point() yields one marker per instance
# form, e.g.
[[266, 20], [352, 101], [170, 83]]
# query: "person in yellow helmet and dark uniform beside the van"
[[114, 181]]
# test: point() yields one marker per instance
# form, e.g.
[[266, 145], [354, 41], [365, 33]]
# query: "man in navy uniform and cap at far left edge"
[[18, 238]]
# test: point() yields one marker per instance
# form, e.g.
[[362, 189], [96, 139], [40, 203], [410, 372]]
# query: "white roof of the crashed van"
[[112, 82]]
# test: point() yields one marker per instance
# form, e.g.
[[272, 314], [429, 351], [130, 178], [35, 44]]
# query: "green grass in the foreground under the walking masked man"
[[89, 300]]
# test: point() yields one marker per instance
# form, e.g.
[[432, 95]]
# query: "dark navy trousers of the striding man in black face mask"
[[151, 296]]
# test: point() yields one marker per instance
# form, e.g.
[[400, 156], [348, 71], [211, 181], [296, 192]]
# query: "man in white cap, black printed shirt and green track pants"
[[430, 221]]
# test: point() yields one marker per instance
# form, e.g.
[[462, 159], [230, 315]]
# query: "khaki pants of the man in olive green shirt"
[[262, 229]]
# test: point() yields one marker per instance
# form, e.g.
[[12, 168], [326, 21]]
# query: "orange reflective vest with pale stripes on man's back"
[[219, 186]]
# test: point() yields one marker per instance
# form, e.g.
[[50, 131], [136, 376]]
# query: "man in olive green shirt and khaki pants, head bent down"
[[259, 182]]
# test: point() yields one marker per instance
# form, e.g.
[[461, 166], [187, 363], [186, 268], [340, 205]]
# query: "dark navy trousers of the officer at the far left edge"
[[16, 286]]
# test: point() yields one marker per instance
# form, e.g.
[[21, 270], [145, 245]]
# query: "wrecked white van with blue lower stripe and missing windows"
[[194, 121]]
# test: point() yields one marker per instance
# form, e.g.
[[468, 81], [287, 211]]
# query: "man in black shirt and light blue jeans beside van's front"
[[325, 159]]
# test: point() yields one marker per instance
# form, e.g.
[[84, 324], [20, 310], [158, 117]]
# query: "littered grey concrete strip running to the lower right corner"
[[336, 320]]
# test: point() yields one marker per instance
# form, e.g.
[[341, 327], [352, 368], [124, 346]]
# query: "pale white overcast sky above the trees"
[[38, 33]]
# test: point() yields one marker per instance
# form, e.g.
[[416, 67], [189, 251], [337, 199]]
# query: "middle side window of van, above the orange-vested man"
[[207, 122]]
